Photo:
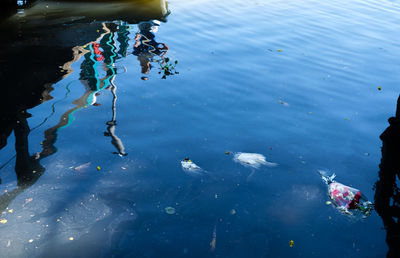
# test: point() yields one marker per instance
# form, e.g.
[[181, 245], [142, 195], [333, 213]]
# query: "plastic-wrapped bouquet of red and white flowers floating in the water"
[[346, 198]]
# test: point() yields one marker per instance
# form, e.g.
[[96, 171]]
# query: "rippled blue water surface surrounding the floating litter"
[[296, 81]]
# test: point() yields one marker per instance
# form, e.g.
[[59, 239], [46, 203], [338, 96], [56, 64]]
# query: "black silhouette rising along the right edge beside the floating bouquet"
[[387, 194]]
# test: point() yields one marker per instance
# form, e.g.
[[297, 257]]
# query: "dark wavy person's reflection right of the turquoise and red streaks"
[[146, 47]]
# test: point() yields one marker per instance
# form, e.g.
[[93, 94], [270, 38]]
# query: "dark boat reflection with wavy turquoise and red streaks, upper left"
[[39, 38]]
